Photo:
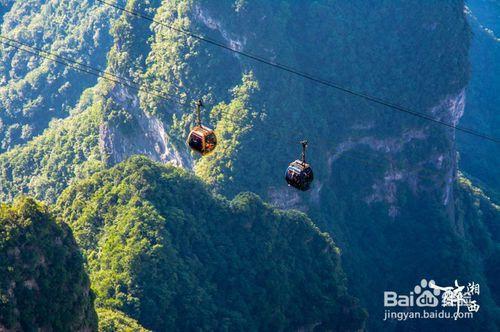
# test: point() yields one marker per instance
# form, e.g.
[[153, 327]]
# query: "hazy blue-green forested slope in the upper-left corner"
[[34, 90]]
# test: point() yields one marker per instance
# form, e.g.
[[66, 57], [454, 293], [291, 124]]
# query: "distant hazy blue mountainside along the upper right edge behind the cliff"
[[482, 110]]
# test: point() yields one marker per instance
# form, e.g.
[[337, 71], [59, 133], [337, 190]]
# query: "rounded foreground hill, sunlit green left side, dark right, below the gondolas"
[[164, 250]]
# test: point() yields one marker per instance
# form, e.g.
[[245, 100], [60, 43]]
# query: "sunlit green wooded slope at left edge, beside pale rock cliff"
[[68, 150]]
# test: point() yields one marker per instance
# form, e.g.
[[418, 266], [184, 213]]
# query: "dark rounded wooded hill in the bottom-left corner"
[[43, 284]]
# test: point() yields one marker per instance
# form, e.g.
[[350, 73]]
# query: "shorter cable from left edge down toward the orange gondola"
[[92, 71]]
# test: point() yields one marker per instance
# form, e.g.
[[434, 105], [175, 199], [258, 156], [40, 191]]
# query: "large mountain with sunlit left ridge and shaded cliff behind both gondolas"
[[381, 176]]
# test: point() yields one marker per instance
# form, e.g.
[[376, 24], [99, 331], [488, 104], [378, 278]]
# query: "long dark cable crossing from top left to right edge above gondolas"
[[380, 101]]
